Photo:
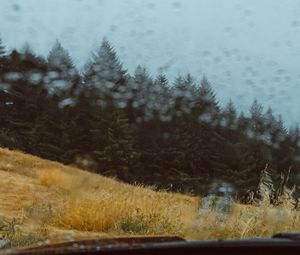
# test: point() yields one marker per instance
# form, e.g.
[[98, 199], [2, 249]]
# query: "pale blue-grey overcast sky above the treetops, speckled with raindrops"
[[247, 49]]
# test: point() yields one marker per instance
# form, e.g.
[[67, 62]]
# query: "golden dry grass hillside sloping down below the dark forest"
[[40, 200]]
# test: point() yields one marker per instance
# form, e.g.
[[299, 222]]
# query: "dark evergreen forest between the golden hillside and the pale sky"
[[141, 129]]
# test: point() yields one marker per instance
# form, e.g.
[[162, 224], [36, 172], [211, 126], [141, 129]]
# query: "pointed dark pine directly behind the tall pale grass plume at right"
[[252, 152]]
